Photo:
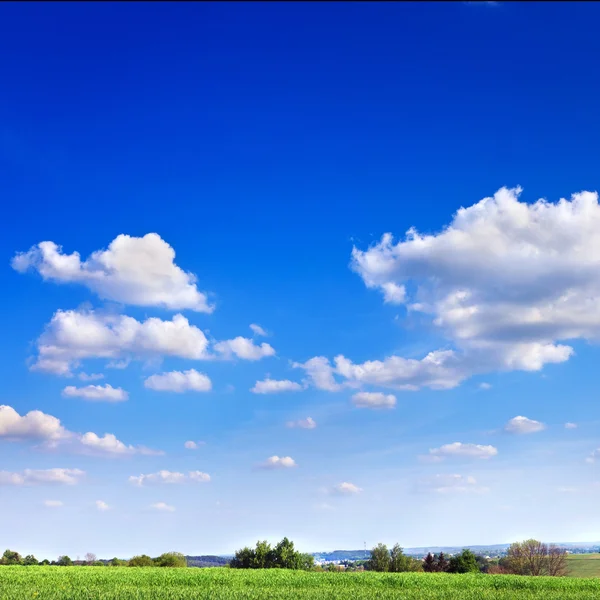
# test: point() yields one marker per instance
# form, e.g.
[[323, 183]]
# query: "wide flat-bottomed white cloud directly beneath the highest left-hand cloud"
[[72, 336]]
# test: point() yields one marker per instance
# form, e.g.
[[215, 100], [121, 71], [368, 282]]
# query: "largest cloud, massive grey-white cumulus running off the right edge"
[[506, 282]]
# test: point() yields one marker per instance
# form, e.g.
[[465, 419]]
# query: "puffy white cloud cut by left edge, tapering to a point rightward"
[[41, 427]]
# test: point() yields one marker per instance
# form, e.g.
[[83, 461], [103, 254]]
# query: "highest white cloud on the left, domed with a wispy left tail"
[[133, 270]]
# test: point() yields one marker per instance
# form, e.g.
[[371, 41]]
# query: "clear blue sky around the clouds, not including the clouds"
[[262, 141]]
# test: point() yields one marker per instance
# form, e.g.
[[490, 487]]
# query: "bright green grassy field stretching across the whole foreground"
[[114, 583]]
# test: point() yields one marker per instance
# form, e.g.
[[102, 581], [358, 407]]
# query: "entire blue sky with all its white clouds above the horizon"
[[270, 147]]
